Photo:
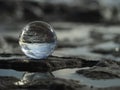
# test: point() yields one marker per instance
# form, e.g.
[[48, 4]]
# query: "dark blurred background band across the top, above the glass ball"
[[85, 11]]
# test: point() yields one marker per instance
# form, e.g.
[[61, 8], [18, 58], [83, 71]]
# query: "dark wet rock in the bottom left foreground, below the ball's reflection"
[[47, 84]]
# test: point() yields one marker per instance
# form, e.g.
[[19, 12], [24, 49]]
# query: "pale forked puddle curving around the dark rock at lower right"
[[71, 74]]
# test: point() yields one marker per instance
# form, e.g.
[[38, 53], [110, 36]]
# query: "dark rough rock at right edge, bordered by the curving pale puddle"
[[103, 70]]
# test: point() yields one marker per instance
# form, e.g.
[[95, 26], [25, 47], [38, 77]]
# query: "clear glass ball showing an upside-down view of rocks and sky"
[[38, 40]]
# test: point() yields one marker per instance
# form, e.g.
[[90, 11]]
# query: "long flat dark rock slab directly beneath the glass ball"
[[50, 64]]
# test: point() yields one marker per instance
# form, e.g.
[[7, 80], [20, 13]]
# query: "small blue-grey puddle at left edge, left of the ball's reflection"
[[11, 73]]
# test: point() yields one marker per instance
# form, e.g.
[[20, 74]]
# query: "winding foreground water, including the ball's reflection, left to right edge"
[[26, 78]]
